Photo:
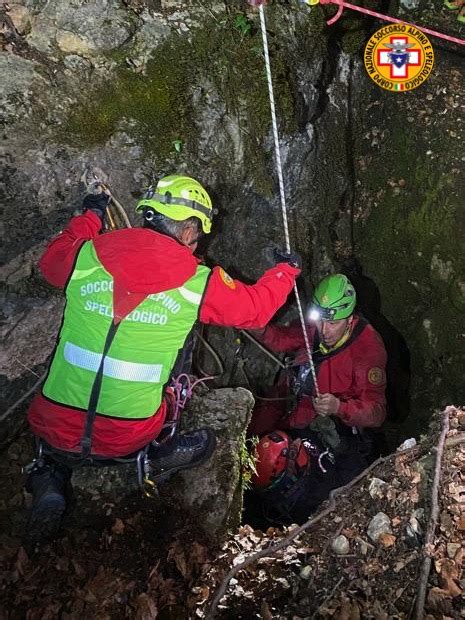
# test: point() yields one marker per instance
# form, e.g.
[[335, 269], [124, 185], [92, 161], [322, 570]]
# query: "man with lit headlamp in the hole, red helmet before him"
[[340, 427]]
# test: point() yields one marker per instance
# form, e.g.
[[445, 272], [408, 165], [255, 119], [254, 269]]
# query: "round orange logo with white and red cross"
[[399, 57]]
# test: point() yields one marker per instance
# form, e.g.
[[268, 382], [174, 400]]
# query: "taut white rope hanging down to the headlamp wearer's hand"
[[281, 187]]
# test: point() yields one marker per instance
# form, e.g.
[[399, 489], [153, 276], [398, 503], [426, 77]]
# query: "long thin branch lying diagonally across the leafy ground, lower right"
[[272, 549]]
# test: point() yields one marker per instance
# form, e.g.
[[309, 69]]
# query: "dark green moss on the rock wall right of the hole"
[[413, 228]]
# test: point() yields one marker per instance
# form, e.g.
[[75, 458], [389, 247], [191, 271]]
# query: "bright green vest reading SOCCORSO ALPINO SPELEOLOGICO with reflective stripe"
[[143, 348]]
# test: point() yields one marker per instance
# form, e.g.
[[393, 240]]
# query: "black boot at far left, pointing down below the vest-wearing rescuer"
[[49, 483]]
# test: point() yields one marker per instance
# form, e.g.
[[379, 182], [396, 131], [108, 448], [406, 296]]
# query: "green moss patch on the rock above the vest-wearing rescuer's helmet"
[[155, 109]]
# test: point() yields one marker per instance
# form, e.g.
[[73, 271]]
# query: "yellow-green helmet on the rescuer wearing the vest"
[[179, 198]]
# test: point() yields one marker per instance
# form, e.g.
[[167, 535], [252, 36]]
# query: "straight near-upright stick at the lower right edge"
[[433, 520]]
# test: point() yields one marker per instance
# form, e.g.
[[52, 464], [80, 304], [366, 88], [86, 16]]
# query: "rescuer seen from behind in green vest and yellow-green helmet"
[[133, 297]]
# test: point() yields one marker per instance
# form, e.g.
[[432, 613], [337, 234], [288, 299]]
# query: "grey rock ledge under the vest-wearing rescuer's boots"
[[212, 492]]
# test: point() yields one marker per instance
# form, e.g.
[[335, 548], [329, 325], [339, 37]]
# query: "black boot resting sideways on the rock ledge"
[[184, 452]]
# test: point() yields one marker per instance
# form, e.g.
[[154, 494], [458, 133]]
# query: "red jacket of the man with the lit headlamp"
[[356, 375]]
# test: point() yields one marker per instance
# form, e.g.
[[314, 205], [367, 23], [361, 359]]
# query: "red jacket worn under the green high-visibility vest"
[[143, 262]]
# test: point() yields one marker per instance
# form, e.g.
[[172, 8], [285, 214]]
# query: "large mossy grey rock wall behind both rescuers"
[[143, 88]]
